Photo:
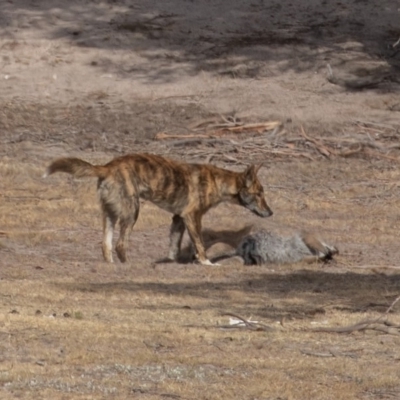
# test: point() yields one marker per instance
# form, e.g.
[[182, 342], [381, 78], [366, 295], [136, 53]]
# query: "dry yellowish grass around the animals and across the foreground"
[[75, 327]]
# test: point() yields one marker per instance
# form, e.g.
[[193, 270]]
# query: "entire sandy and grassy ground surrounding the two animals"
[[103, 78]]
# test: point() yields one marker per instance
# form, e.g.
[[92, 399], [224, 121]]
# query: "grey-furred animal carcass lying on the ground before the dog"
[[265, 247]]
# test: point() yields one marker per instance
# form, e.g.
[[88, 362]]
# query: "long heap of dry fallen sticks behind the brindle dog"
[[218, 141]]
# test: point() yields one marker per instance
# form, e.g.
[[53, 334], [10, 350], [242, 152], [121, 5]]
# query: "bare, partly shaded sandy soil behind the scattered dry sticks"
[[138, 67]]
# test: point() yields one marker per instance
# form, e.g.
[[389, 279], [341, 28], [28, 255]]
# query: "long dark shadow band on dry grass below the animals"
[[304, 293]]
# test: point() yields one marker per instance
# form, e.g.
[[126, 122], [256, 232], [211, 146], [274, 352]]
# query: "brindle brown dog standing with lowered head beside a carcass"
[[187, 191]]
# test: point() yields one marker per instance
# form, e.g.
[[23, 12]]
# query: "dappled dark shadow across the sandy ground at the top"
[[227, 37]]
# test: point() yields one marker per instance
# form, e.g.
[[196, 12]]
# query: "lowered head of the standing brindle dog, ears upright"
[[251, 195]]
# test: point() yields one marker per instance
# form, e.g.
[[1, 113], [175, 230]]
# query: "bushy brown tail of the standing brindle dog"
[[76, 167]]
